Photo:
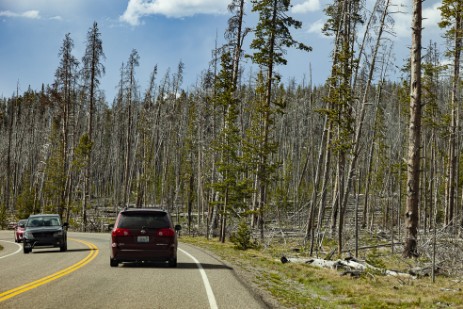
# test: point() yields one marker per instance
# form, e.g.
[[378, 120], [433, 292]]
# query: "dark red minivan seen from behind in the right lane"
[[144, 235]]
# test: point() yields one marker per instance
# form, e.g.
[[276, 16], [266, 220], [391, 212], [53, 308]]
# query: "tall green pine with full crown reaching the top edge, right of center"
[[272, 36]]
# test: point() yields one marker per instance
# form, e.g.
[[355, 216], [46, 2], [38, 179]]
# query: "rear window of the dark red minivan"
[[134, 220]]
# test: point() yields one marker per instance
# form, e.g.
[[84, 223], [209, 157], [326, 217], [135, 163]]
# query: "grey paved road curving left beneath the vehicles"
[[82, 278]]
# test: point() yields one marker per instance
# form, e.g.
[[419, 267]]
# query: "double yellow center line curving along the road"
[[32, 285]]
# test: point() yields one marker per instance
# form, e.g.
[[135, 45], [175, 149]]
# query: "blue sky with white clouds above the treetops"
[[164, 32]]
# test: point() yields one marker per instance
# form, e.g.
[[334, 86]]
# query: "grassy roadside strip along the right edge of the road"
[[295, 285]]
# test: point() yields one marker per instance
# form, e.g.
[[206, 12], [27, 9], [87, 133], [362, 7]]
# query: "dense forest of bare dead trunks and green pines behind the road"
[[357, 157]]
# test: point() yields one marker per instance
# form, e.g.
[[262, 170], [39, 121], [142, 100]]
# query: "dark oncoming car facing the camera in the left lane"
[[45, 230]]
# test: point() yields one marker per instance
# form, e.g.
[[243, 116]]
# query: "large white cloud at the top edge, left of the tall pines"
[[171, 8]]
